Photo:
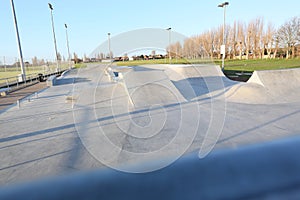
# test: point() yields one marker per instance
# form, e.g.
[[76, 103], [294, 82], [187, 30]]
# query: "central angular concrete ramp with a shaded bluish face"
[[167, 84]]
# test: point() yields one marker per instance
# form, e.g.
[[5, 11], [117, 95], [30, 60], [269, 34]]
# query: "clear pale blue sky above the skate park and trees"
[[89, 21]]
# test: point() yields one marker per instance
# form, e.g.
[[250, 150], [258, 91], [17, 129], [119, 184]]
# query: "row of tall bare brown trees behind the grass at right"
[[255, 40]]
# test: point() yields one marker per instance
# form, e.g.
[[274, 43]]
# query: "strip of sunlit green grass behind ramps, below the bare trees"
[[234, 65]]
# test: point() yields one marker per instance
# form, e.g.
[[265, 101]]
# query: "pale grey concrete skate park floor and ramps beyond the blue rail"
[[155, 112]]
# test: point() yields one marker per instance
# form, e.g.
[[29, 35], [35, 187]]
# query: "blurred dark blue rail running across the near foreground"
[[226, 174]]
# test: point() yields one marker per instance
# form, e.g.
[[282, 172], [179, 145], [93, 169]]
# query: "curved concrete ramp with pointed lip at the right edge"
[[268, 87]]
